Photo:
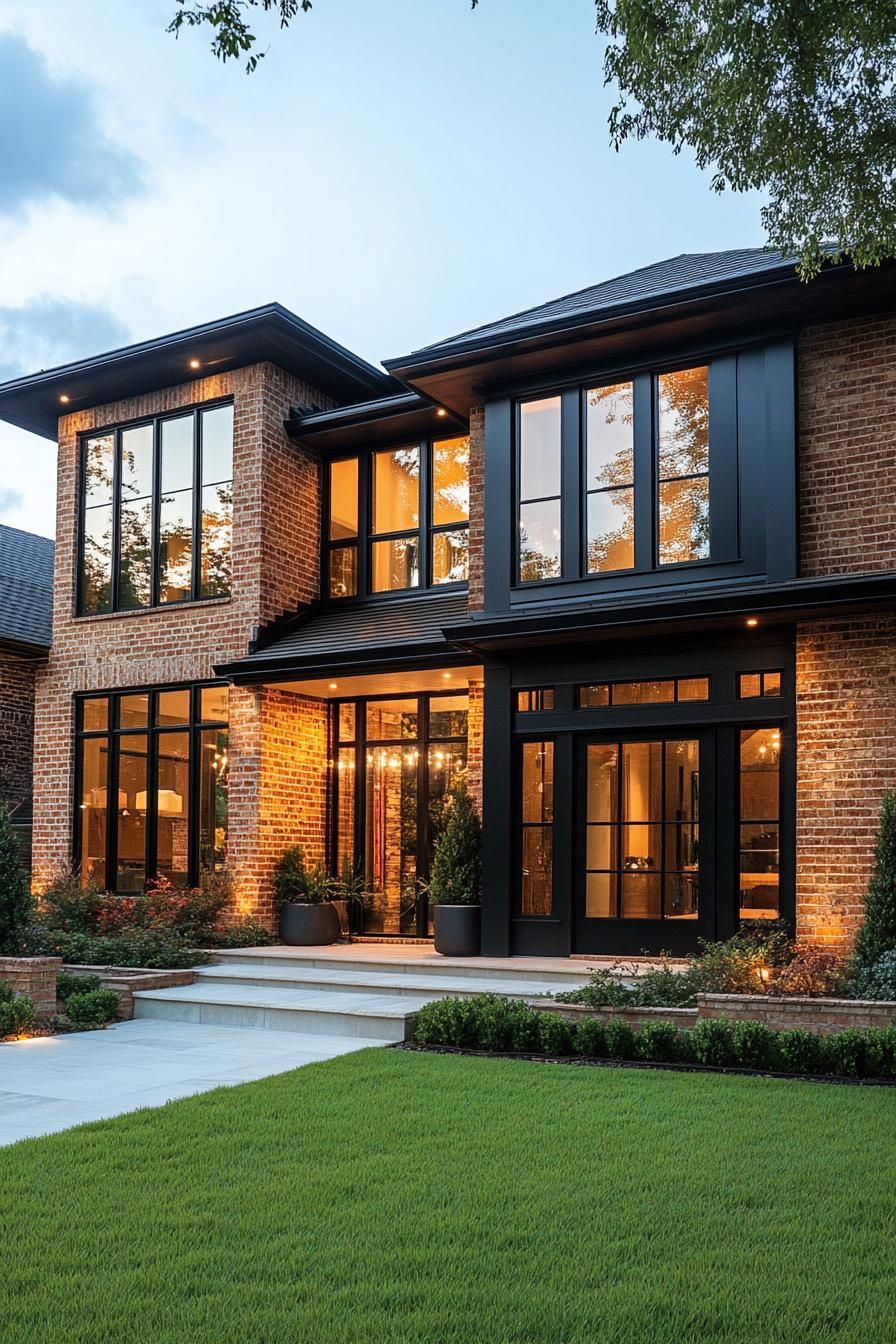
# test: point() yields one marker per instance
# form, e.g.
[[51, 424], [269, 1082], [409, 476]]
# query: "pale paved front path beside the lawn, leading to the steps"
[[53, 1083]]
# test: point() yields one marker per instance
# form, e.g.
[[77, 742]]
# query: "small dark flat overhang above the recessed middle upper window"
[[386, 420]]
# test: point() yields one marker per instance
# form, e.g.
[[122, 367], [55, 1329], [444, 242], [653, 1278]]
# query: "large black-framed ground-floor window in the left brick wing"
[[152, 786]]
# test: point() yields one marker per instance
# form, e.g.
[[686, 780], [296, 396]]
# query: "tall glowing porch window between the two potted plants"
[[398, 763]]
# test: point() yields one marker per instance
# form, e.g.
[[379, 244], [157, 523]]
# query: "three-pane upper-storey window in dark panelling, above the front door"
[[639, 463]]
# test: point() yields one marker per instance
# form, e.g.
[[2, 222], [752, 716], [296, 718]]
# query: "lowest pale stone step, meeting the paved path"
[[382, 1018]]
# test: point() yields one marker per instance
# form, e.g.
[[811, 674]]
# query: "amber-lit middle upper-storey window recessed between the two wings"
[[398, 519]]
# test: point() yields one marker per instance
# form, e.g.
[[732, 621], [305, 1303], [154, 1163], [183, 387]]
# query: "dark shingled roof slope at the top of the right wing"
[[678, 275]]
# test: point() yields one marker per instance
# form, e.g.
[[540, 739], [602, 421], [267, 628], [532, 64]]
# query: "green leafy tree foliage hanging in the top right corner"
[[795, 99]]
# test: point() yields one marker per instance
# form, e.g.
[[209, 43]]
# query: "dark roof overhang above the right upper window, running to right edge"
[[627, 335]]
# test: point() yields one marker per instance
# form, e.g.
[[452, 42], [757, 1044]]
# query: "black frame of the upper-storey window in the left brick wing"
[[197, 517]]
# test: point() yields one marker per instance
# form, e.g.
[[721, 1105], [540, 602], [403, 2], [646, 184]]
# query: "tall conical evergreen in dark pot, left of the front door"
[[456, 886]]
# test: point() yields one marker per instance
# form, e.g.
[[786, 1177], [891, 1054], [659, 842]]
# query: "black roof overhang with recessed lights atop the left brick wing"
[[268, 334]]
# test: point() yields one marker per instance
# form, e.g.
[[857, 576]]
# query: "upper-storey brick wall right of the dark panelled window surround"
[[847, 396]]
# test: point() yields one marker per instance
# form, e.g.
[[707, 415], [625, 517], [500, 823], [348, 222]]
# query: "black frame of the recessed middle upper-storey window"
[[427, 532]]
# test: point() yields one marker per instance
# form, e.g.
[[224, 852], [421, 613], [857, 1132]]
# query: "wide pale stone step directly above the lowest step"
[[381, 982]]
